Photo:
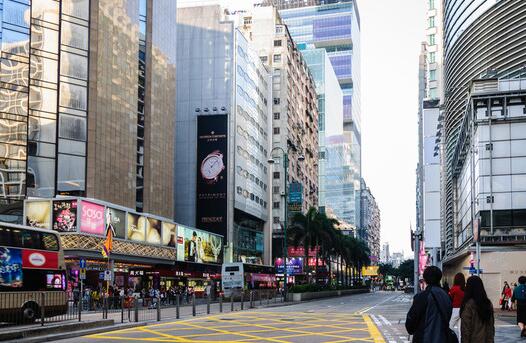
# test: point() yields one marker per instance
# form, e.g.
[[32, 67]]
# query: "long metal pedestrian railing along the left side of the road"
[[47, 307]]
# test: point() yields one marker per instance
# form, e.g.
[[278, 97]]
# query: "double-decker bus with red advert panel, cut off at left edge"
[[32, 274]]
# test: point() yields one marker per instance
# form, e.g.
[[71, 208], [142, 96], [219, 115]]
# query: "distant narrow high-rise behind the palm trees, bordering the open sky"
[[369, 231]]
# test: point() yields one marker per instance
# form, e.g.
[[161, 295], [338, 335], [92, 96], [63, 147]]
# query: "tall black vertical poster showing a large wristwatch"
[[211, 188]]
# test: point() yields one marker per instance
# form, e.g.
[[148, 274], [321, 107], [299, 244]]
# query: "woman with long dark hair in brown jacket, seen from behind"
[[476, 313]]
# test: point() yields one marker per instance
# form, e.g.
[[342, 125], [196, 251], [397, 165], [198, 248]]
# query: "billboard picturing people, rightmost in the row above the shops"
[[199, 246]]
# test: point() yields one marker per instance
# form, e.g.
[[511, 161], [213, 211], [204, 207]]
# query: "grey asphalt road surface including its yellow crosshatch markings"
[[377, 317]]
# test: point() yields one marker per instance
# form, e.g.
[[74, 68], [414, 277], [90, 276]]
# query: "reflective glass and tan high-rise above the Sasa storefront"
[[87, 101]]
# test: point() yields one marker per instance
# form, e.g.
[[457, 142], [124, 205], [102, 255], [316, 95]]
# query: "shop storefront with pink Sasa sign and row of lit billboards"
[[148, 251]]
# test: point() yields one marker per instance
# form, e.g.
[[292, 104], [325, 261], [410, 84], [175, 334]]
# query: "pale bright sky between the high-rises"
[[391, 35]]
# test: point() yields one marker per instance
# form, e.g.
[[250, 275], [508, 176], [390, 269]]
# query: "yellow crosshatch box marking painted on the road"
[[256, 326]]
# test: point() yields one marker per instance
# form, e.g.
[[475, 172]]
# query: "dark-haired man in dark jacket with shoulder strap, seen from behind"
[[424, 320]]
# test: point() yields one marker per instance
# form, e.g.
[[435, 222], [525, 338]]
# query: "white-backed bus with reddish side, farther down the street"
[[237, 277]]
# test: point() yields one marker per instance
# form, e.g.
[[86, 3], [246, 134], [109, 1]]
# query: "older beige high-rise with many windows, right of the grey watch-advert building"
[[294, 115]]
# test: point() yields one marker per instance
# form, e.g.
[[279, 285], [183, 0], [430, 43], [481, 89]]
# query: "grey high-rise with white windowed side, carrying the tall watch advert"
[[223, 137]]
